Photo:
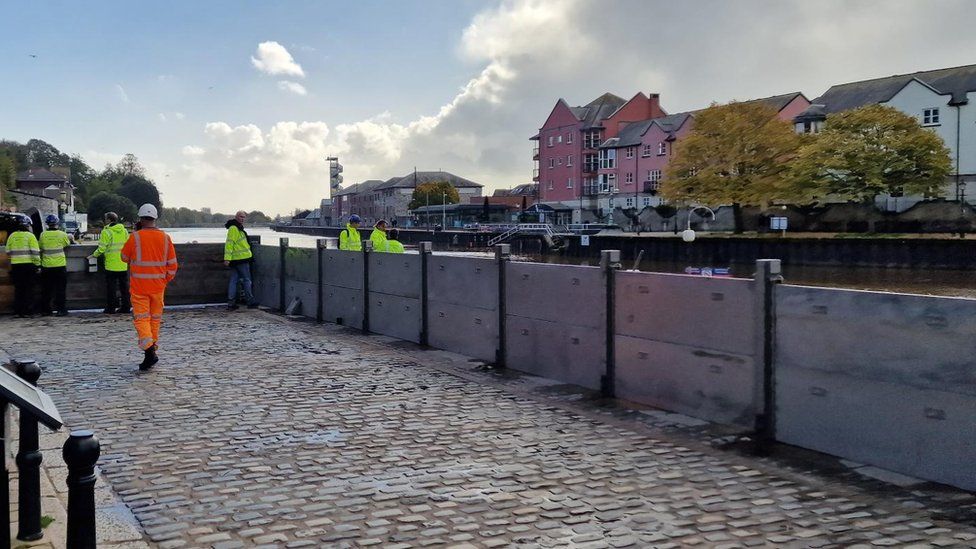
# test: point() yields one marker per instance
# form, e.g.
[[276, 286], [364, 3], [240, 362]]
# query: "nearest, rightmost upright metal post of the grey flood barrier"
[[768, 274]]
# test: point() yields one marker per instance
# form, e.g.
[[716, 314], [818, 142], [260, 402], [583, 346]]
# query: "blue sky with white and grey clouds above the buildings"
[[236, 104]]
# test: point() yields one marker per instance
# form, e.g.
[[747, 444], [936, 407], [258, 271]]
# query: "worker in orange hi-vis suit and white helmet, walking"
[[152, 264]]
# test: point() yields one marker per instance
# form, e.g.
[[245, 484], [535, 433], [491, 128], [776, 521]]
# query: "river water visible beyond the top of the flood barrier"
[[915, 281]]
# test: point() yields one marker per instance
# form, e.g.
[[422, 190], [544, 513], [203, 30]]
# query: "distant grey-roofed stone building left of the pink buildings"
[[375, 199]]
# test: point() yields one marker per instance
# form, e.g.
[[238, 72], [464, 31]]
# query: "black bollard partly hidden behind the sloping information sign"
[[29, 465]]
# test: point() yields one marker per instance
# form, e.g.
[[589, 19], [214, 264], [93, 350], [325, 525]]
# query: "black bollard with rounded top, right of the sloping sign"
[[80, 453]]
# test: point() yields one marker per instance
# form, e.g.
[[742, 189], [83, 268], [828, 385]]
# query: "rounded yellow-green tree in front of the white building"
[[868, 151]]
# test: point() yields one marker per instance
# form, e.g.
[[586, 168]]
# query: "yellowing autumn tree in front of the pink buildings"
[[736, 154]]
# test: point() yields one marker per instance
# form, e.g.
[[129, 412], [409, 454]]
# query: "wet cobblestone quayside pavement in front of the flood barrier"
[[255, 430]]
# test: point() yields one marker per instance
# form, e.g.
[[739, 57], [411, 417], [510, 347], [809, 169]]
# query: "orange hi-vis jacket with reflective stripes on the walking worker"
[[152, 261]]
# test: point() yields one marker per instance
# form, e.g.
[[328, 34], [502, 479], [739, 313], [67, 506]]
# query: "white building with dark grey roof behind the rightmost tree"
[[943, 100]]
